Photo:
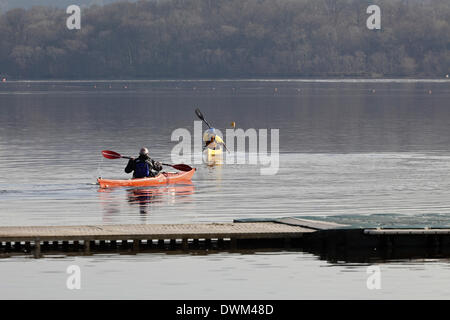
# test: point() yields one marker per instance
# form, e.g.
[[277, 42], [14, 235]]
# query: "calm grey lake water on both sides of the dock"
[[346, 148]]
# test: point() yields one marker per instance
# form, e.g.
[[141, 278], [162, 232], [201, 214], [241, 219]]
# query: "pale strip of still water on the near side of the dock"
[[260, 275]]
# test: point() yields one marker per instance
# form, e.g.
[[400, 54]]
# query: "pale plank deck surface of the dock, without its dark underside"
[[153, 231]]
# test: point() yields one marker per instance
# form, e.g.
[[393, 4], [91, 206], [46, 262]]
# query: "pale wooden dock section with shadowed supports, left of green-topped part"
[[160, 236]]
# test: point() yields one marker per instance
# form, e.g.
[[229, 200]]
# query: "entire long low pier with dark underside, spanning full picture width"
[[330, 240]]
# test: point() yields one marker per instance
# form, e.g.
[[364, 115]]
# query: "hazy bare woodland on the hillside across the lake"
[[228, 38]]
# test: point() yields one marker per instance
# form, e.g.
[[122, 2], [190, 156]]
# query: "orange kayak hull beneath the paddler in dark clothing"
[[162, 178]]
